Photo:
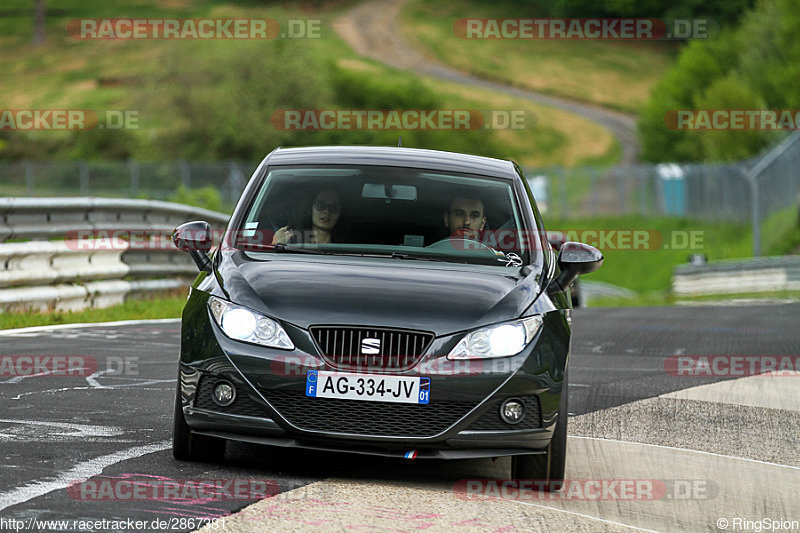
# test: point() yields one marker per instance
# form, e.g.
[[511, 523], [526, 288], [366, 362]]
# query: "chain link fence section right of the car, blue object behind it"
[[749, 191]]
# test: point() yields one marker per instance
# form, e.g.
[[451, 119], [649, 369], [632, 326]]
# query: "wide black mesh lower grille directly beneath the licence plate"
[[359, 417]]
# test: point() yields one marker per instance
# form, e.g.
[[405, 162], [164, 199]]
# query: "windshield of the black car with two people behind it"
[[404, 213]]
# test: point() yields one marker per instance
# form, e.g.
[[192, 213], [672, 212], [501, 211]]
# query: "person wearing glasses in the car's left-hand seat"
[[317, 223]]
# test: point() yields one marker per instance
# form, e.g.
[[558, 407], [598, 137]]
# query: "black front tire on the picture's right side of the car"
[[548, 469]]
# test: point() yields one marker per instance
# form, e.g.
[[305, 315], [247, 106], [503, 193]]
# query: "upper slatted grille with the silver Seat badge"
[[352, 347]]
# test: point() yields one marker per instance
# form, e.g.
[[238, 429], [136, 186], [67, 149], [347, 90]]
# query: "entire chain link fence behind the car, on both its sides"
[[747, 191]]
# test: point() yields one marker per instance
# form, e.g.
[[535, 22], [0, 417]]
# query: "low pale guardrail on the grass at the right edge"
[[738, 276]]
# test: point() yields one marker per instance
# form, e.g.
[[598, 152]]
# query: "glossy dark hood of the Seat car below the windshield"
[[437, 297]]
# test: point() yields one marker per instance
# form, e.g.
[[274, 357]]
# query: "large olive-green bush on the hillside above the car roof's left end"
[[223, 95]]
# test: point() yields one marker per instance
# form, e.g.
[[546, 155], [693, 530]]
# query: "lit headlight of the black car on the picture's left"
[[242, 324]]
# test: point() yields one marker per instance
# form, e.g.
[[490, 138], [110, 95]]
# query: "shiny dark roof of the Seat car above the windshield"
[[393, 156]]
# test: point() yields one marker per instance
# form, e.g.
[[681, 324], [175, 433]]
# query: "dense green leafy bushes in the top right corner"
[[754, 66]]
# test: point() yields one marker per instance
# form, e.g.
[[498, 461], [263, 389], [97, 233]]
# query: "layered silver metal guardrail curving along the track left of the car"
[[65, 262]]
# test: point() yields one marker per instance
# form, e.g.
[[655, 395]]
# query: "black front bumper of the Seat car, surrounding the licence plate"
[[461, 421]]
